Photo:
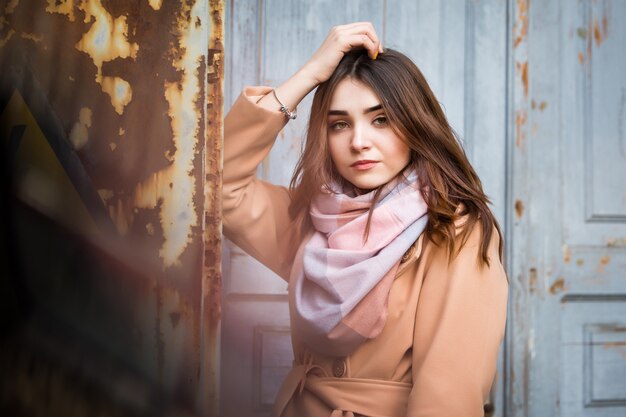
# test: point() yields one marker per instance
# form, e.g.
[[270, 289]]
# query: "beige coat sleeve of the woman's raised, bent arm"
[[255, 213]]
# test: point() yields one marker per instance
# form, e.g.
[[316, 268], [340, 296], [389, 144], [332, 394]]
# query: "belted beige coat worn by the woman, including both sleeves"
[[437, 353]]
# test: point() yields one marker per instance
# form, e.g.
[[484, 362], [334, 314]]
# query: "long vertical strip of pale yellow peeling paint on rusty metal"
[[177, 209]]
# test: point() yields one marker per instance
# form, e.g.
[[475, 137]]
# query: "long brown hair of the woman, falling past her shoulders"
[[448, 182]]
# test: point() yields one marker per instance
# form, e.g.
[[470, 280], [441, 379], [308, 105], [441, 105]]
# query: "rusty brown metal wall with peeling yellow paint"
[[110, 120]]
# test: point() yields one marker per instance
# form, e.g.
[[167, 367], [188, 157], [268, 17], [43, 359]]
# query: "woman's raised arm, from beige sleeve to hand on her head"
[[255, 213]]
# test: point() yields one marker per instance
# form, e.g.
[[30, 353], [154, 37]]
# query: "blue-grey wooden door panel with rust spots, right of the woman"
[[567, 350]]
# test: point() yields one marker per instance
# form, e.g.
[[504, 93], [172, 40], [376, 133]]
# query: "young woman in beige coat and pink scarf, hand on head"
[[397, 292]]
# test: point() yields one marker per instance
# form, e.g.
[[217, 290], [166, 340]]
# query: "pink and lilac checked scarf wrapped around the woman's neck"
[[339, 296]]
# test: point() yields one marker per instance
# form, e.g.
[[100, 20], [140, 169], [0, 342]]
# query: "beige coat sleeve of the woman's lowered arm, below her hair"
[[459, 326]]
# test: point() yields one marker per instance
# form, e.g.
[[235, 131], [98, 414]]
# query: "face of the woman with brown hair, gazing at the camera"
[[363, 146]]
